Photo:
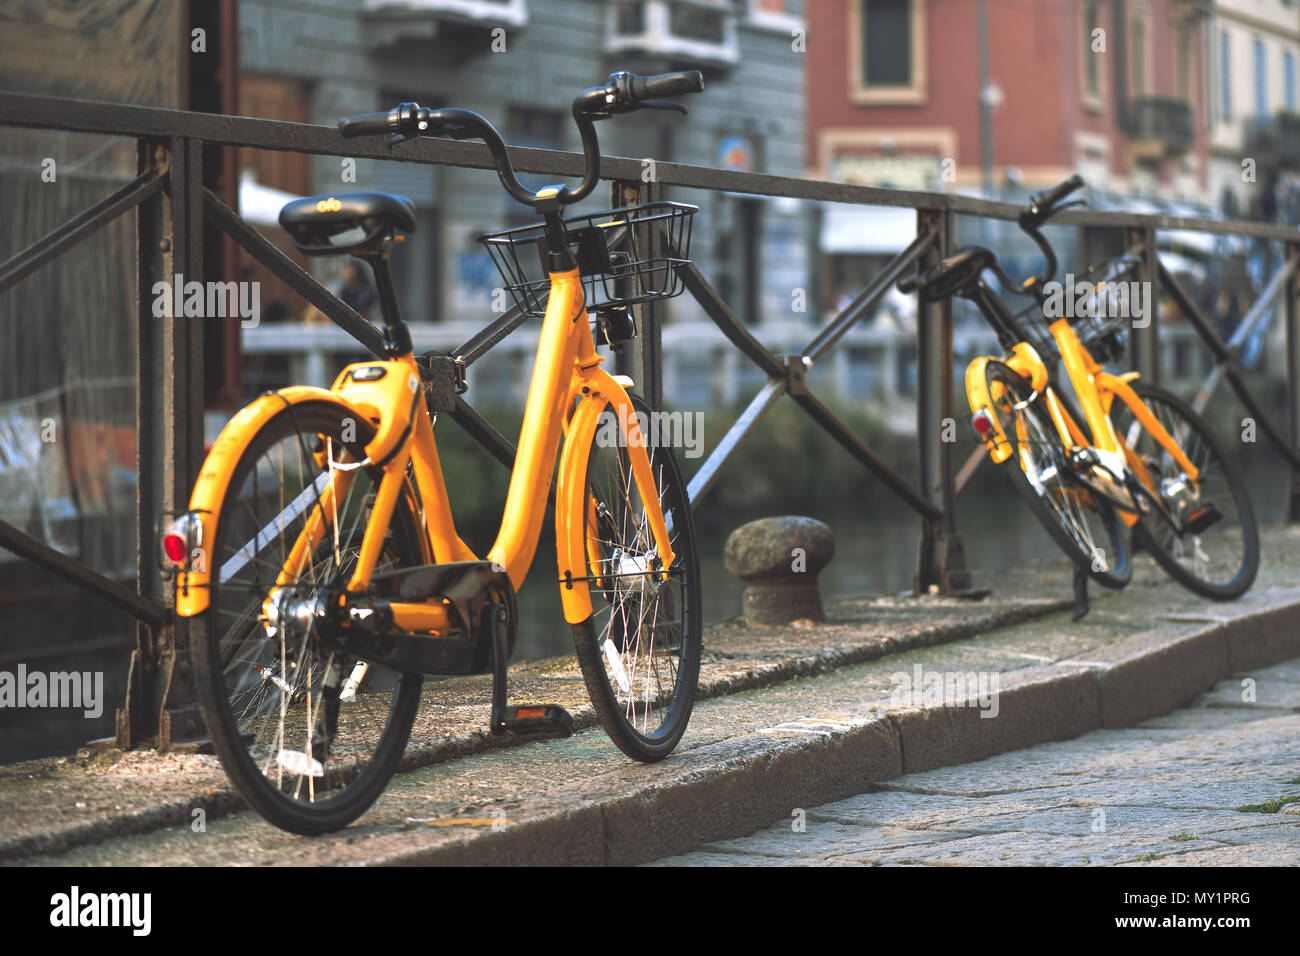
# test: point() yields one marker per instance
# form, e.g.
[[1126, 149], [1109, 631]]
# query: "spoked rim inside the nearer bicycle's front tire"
[[640, 622]]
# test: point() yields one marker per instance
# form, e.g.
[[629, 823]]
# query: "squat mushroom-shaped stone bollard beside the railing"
[[779, 560]]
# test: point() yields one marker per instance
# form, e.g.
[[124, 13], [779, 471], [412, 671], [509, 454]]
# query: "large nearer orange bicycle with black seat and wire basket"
[[319, 564]]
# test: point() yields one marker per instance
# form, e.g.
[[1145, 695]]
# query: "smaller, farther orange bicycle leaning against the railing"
[[1124, 455]]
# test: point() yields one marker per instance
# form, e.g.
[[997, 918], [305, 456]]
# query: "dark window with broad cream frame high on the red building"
[[887, 46]]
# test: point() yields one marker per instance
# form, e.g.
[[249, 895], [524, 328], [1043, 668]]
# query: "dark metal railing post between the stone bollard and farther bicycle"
[[942, 561]]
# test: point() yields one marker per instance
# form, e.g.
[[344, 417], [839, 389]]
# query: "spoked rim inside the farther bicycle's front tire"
[[1219, 555]]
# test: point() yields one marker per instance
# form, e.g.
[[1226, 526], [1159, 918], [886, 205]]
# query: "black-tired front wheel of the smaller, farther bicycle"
[[1168, 547]]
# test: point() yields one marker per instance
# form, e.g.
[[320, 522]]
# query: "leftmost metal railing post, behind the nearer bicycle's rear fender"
[[170, 432]]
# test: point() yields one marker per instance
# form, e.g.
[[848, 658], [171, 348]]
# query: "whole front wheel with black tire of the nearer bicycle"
[[640, 650]]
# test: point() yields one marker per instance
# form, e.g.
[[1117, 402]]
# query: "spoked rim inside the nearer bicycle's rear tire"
[[307, 737]]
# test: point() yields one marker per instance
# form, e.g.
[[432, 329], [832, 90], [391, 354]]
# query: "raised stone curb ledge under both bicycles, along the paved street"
[[734, 781]]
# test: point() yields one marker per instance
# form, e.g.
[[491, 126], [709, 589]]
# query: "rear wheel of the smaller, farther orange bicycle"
[[1084, 525]]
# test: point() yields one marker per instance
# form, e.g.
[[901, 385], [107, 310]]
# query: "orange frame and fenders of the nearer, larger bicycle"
[[567, 395]]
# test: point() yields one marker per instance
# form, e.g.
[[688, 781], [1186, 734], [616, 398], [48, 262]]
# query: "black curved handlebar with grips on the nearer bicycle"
[[625, 93]]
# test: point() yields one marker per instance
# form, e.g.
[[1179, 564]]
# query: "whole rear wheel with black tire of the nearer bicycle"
[[306, 734]]
